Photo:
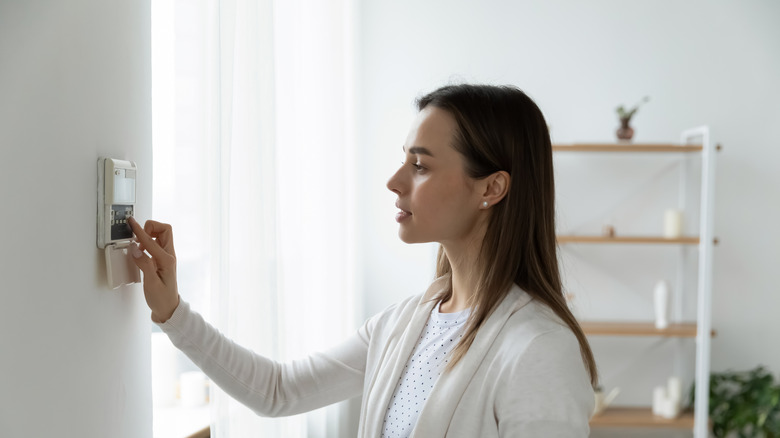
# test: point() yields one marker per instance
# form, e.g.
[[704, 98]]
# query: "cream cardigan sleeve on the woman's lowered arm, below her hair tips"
[[546, 391]]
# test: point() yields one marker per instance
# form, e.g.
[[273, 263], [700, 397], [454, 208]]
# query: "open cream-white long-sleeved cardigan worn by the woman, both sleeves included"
[[522, 377]]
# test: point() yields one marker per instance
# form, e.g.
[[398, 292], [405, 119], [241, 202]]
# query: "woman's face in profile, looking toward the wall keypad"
[[437, 201]]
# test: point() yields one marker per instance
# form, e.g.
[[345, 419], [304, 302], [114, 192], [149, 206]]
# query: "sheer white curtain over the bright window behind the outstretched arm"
[[260, 170]]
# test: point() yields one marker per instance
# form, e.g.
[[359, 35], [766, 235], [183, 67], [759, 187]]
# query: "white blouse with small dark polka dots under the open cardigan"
[[430, 356]]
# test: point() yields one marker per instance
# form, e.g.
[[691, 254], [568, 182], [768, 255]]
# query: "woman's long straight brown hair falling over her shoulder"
[[501, 128]]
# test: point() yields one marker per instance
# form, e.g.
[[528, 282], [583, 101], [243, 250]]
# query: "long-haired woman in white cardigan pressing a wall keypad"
[[490, 349]]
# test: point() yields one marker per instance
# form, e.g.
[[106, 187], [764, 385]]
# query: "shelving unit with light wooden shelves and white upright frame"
[[701, 329]]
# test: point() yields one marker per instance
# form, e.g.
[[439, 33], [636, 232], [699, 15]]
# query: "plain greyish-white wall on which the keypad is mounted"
[[74, 85]]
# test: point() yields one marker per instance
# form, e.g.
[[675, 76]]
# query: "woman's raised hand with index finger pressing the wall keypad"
[[160, 290]]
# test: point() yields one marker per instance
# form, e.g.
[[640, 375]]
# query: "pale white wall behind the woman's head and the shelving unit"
[[701, 62]]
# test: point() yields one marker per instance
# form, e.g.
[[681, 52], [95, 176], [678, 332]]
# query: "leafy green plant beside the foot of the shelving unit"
[[744, 404]]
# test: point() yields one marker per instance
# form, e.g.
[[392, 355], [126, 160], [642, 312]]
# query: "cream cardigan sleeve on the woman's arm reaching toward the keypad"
[[268, 387]]
